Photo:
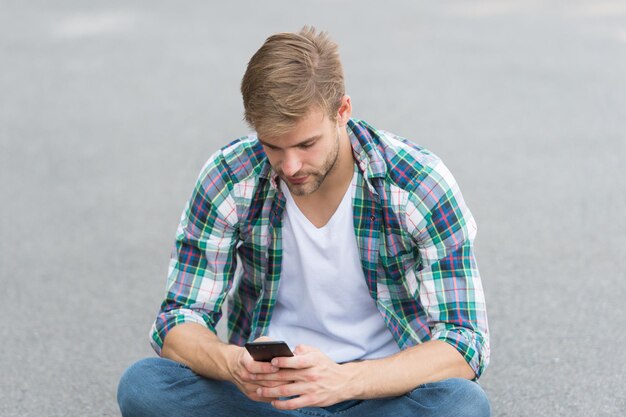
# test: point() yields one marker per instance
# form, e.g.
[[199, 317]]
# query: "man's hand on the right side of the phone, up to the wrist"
[[311, 376]]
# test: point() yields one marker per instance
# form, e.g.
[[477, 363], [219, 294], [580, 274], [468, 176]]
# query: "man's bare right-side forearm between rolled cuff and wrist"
[[398, 374]]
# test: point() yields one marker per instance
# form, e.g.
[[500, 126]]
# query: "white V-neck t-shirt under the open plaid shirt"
[[323, 299]]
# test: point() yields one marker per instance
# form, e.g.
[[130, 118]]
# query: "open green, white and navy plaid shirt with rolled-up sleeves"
[[413, 230]]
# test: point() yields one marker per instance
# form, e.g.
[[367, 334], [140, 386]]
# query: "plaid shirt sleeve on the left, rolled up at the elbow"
[[202, 264]]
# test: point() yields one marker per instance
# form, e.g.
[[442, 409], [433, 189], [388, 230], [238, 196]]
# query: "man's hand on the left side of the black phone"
[[250, 376]]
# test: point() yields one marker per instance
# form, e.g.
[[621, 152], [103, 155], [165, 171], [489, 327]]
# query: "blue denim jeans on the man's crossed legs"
[[160, 387]]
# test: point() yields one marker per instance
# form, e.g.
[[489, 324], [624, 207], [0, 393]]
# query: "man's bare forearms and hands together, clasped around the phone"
[[311, 375]]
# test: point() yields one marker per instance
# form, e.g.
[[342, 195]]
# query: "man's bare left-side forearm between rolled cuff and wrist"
[[199, 348]]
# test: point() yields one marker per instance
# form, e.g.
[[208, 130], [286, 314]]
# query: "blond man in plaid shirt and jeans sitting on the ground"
[[353, 245]]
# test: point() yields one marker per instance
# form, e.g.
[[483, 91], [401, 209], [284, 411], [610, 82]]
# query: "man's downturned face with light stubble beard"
[[303, 157]]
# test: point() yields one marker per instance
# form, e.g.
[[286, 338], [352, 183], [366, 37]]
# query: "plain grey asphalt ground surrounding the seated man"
[[108, 110]]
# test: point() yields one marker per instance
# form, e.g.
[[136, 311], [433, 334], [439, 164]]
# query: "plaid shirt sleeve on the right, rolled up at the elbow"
[[449, 284]]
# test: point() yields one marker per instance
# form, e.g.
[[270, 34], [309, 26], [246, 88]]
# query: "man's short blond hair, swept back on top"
[[289, 75]]
